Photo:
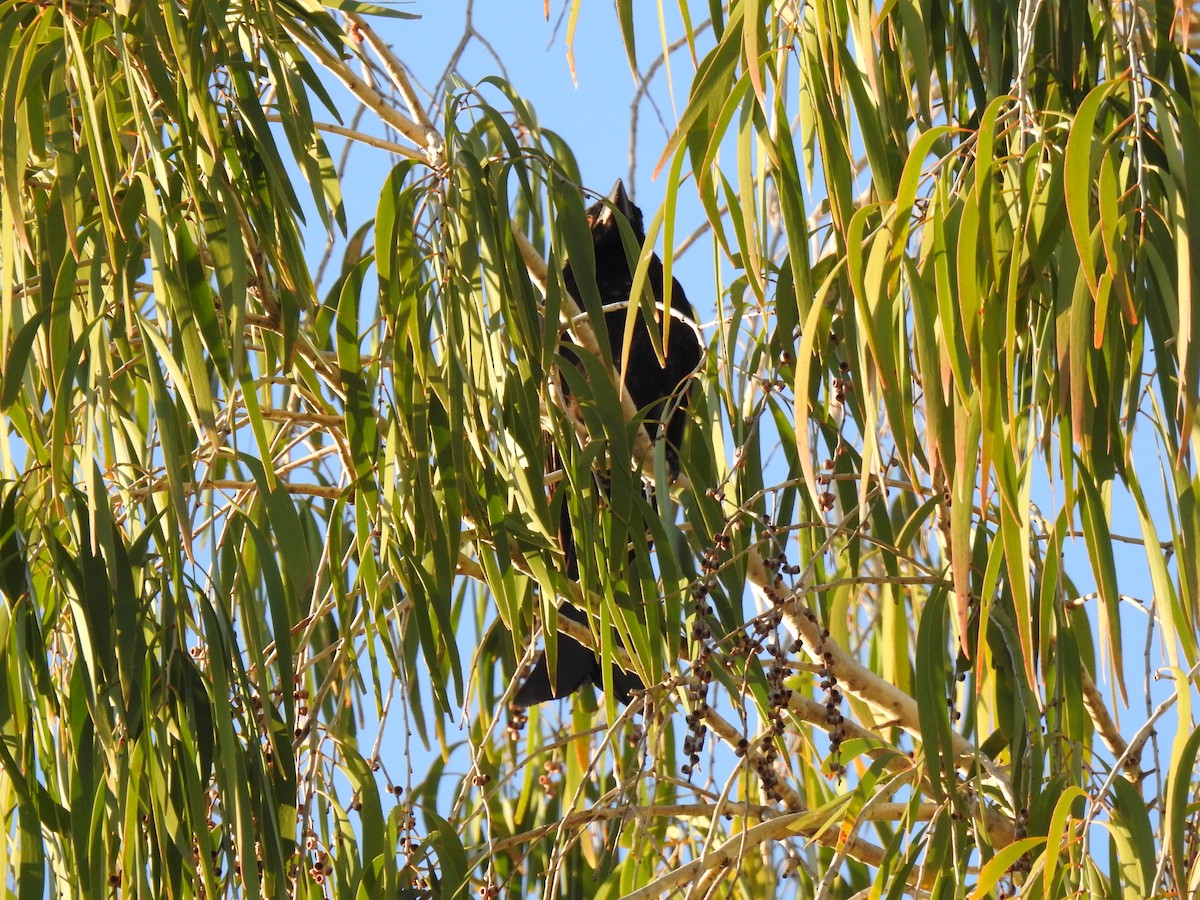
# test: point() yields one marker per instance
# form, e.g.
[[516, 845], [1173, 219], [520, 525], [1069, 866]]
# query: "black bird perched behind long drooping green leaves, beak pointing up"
[[651, 386]]
